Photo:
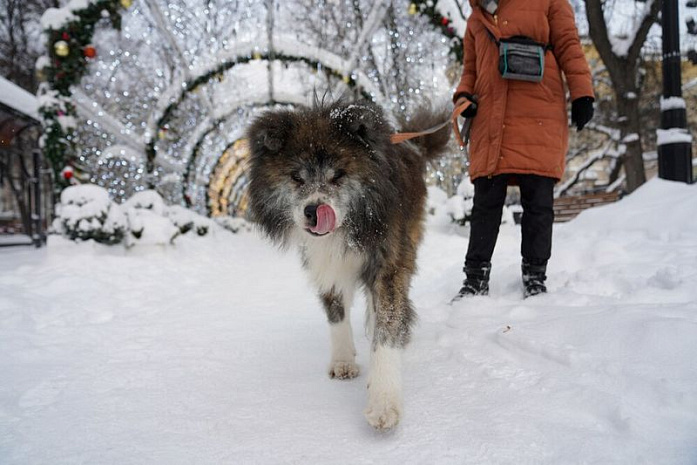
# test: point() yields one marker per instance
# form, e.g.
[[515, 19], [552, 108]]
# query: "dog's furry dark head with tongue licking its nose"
[[310, 168]]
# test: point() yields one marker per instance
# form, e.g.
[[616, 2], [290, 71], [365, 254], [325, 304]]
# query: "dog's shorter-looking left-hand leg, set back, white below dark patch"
[[337, 305]]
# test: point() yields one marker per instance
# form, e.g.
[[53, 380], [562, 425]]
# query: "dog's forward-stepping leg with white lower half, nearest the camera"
[[392, 315]]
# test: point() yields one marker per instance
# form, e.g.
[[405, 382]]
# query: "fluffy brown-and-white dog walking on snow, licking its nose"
[[328, 180]]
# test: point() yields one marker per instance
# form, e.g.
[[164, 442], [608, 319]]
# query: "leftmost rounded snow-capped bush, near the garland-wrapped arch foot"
[[86, 212]]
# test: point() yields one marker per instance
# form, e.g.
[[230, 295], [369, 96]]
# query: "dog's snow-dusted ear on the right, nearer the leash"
[[364, 122]]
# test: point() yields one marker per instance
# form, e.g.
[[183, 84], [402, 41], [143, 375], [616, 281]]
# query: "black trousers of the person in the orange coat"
[[537, 197]]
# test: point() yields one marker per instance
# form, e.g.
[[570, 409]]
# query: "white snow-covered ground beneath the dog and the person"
[[214, 351]]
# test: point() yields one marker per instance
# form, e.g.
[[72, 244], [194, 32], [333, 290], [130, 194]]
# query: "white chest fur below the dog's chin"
[[330, 264]]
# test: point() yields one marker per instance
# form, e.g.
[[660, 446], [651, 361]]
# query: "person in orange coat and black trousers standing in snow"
[[515, 52]]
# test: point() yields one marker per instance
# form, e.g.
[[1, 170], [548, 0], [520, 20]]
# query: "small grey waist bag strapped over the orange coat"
[[521, 58]]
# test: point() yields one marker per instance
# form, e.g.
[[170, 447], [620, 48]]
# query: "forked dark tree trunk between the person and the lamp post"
[[622, 63]]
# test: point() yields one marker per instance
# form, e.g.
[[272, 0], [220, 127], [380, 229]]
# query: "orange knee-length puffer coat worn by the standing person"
[[521, 127]]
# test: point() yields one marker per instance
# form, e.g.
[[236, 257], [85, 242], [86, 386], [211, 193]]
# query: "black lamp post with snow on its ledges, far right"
[[674, 141]]
